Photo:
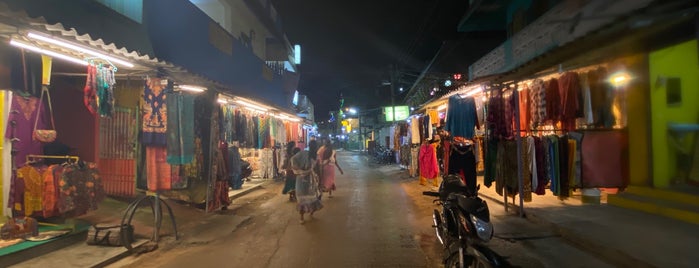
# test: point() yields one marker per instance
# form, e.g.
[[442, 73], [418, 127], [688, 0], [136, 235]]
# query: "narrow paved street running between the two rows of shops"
[[377, 218]]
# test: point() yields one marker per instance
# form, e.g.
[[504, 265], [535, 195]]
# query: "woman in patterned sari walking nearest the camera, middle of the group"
[[307, 192]]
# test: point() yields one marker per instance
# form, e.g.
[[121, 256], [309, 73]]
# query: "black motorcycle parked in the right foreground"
[[463, 225]]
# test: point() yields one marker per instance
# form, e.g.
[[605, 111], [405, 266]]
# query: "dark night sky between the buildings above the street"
[[348, 46]]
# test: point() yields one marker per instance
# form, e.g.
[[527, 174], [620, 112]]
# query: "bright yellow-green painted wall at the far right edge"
[[675, 61]]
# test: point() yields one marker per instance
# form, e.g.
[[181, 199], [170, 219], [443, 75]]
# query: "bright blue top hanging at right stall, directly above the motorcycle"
[[462, 118]]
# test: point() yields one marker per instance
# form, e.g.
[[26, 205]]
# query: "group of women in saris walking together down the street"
[[309, 174]]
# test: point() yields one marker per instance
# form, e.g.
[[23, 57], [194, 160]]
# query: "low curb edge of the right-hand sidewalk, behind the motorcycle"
[[608, 254]]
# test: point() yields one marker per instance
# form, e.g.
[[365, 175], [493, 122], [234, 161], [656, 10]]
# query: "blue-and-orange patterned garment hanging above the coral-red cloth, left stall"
[[154, 110]]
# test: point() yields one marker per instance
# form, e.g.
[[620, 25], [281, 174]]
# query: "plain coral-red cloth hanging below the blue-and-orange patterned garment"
[[158, 170]]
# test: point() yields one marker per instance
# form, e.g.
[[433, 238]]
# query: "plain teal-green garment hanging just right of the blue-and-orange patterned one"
[[180, 125]]
